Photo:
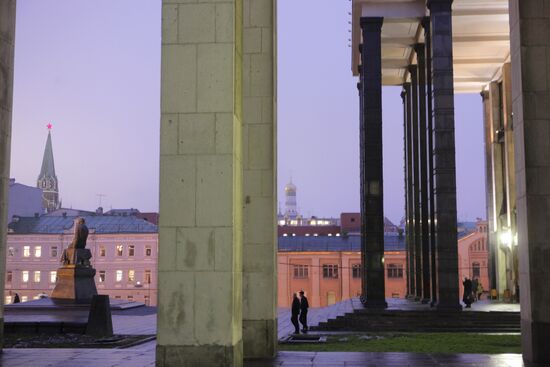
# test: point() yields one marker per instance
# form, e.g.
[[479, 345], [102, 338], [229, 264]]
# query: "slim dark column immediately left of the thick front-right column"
[[429, 127]]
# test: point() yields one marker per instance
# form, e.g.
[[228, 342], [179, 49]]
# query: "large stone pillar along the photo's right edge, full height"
[[530, 96]]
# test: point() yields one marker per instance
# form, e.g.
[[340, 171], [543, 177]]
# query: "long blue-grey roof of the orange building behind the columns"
[[334, 243]]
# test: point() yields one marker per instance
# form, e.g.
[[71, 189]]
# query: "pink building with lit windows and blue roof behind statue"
[[124, 250]]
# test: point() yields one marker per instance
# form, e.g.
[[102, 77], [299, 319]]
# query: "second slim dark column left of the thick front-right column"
[[424, 225]]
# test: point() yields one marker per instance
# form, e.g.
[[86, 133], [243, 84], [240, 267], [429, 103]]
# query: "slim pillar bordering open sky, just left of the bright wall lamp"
[[491, 235]]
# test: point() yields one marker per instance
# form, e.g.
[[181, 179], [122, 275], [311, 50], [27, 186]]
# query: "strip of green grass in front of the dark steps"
[[415, 343]]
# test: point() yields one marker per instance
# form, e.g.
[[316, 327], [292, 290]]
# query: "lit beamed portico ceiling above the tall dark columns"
[[481, 39]]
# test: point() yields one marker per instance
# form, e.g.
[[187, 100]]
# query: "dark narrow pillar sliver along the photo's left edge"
[[7, 41]]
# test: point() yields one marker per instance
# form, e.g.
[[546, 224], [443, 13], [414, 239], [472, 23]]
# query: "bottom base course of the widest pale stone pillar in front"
[[199, 355]]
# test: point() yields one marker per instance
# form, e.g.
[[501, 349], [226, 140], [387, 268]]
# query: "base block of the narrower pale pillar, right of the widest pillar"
[[259, 338]]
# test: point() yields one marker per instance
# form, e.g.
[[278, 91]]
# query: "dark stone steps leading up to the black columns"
[[423, 321]]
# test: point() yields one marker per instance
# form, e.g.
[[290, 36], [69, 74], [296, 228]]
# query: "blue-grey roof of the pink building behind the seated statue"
[[97, 223]]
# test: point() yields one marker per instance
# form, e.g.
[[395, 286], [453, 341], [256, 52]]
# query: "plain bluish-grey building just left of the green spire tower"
[[23, 200]]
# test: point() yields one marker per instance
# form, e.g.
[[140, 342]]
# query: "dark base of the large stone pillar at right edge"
[[534, 341]]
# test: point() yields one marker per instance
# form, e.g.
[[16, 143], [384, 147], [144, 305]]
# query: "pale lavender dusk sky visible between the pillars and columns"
[[92, 69]]
